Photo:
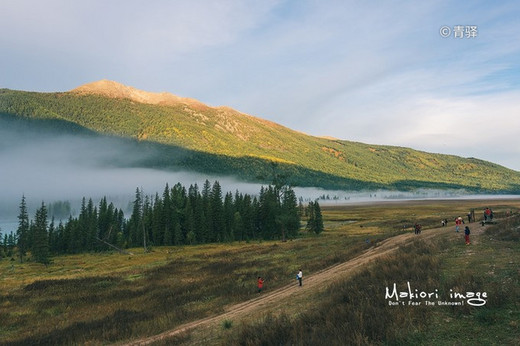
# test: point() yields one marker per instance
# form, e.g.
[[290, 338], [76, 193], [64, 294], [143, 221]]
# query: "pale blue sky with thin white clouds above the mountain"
[[438, 76]]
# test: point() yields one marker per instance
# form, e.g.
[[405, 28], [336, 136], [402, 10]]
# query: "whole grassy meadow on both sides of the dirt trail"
[[103, 298]]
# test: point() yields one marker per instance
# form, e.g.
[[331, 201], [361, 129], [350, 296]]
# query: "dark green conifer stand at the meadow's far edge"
[[178, 216]]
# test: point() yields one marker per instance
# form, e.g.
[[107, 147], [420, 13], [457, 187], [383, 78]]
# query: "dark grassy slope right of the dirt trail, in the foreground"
[[353, 311]]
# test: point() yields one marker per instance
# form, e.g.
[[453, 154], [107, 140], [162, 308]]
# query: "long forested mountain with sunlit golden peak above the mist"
[[177, 132]]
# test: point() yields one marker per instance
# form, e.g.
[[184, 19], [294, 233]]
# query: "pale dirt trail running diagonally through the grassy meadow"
[[314, 282]]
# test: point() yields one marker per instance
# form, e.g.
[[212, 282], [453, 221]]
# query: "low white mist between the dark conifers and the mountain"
[[48, 165]]
